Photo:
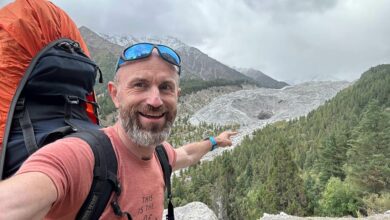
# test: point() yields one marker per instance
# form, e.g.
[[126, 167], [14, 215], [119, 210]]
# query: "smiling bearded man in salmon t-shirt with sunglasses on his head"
[[55, 181]]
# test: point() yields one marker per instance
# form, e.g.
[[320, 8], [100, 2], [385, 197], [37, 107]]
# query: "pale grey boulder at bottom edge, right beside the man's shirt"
[[193, 211]]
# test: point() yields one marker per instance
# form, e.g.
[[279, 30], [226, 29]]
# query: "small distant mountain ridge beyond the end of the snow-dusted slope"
[[262, 79]]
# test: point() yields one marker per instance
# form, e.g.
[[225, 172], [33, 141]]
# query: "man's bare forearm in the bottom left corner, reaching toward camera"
[[26, 196]]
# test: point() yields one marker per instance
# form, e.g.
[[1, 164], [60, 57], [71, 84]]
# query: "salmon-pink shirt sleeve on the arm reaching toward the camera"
[[69, 164]]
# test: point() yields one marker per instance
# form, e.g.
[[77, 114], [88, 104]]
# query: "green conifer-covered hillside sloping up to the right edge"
[[333, 162]]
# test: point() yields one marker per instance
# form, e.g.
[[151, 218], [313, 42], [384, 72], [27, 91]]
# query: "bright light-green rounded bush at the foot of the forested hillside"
[[339, 199]]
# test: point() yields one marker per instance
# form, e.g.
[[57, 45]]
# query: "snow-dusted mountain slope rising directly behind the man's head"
[[196, 65]]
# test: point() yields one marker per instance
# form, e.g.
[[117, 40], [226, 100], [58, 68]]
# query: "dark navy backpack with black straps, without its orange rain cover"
[[55, 99]]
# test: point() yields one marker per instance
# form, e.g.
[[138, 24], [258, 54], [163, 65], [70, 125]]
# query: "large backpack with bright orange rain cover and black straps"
[[46, 93]]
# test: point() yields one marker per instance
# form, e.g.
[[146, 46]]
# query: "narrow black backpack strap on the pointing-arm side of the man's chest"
[[167, 171]]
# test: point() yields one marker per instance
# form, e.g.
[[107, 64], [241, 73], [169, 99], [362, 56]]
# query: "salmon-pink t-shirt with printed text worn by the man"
[[69, 163]]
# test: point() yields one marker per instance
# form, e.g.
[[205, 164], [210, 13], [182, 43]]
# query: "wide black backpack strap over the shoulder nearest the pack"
[[104, 174]]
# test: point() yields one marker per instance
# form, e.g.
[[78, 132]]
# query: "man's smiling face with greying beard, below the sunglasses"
[[146, 98]]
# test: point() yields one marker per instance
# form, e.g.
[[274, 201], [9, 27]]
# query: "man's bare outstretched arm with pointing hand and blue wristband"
[[190, 154]]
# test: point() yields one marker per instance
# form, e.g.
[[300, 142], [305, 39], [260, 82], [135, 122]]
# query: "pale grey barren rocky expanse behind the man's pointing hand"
[[255, 108]]
